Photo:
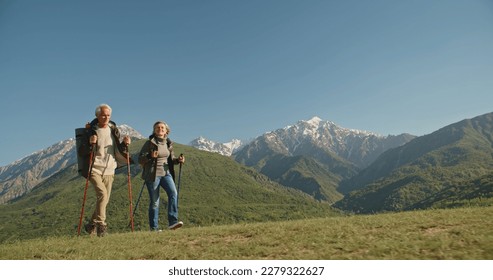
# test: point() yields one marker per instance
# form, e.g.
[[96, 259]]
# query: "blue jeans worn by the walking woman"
[[169, 186]]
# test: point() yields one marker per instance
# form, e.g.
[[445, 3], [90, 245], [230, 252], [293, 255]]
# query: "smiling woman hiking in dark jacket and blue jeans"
[[158, 160]]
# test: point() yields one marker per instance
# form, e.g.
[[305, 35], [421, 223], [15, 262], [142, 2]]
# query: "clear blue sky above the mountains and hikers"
[[236, 69]]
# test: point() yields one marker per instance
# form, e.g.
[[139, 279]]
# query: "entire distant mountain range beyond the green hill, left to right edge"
[[353, 170]]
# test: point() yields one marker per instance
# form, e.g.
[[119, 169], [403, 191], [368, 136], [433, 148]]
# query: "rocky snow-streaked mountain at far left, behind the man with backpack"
[[22, 175]]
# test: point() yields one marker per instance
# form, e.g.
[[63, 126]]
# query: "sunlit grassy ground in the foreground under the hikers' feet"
[[460, 234]]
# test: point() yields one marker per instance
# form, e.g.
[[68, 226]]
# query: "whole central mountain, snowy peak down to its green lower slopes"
[[315, 155]]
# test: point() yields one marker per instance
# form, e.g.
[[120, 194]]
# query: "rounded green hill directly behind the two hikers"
[[214, 190]]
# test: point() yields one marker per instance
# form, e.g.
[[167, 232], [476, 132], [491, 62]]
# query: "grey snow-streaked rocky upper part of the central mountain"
[[311, 137]]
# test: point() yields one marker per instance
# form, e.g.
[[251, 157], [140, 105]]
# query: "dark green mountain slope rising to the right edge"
[[412, 175]]
